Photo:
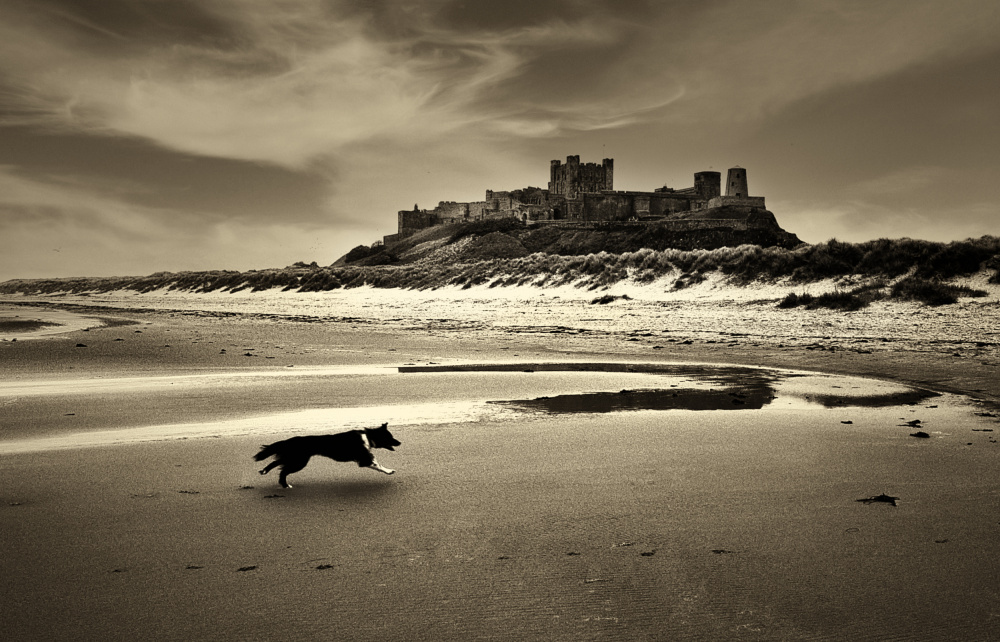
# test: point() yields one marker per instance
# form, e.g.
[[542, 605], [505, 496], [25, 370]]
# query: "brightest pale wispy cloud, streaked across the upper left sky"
[[306, 84]]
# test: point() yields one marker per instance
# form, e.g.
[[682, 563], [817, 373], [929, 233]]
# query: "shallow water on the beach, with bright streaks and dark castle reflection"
[[482, 394]]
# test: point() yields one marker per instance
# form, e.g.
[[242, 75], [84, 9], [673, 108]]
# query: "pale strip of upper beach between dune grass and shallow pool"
[[960, 363]]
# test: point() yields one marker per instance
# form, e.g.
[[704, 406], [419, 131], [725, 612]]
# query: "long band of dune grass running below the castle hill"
[[926, 268]]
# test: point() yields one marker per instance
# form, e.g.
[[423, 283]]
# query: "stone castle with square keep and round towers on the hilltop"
[[583, 193]]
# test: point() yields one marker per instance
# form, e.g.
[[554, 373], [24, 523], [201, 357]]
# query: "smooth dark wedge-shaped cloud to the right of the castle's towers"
[[929, 115]]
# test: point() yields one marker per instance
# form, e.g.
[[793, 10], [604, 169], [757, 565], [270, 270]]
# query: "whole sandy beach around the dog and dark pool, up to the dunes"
[[636, 526]]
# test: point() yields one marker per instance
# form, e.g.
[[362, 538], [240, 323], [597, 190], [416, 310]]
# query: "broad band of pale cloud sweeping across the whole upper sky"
[[299, 81]]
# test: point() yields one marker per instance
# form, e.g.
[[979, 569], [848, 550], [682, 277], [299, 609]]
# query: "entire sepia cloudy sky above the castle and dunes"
[[139, 136]]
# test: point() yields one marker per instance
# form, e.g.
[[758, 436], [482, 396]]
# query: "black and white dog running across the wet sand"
[[293, 454]]
